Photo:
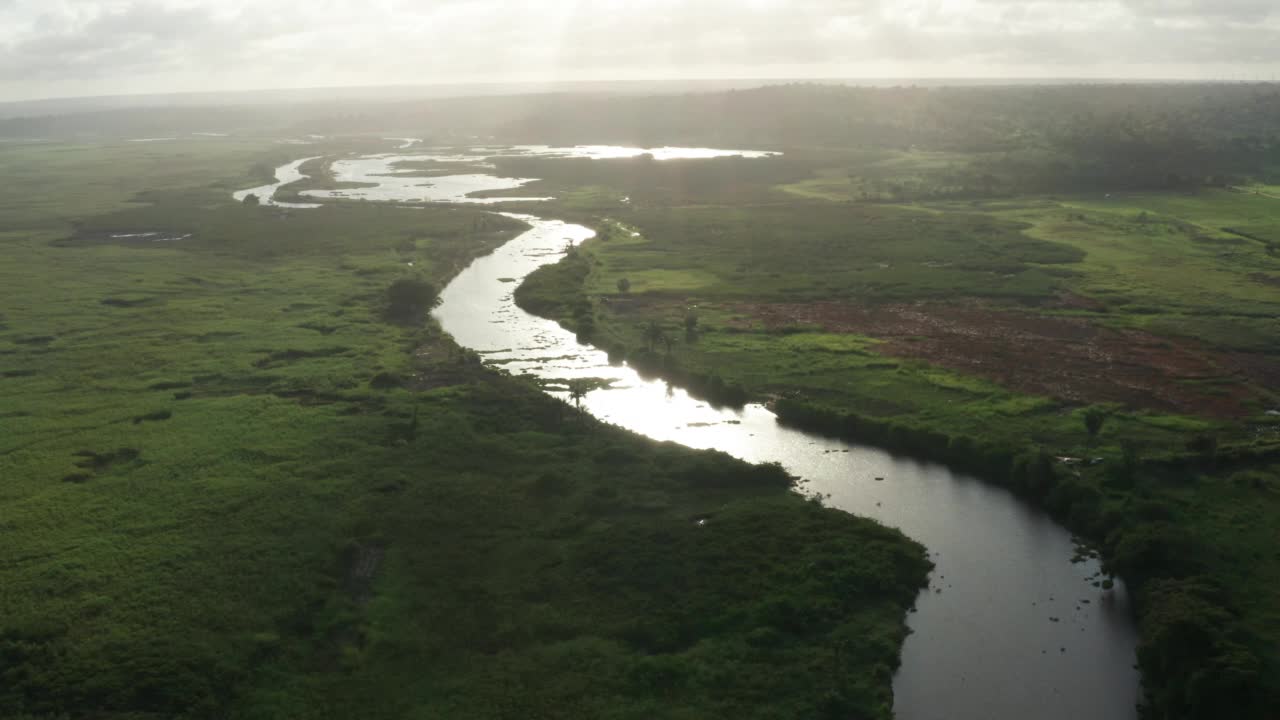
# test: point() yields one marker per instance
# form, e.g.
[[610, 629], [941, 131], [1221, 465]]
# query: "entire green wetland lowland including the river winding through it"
[[488, 429]]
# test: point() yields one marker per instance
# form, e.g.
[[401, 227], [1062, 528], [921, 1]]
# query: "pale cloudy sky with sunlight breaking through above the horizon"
[[70, 48]]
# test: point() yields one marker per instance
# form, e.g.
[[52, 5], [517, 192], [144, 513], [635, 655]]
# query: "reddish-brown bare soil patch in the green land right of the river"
[[1073, 359]]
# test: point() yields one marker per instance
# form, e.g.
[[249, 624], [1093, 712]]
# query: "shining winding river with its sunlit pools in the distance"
[[1011, 627]]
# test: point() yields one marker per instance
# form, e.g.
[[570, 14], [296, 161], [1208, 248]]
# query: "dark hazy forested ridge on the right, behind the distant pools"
[[1030, 139]]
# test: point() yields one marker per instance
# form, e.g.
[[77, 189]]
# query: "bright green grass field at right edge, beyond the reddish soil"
[[1141, 253]]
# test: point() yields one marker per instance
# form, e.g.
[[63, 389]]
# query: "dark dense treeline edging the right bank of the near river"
[[1197, 658]]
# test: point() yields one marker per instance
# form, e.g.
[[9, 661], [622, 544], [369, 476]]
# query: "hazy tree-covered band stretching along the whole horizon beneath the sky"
[[1039, 139]]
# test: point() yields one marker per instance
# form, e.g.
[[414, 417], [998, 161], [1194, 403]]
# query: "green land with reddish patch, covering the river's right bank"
[[1057, 347]]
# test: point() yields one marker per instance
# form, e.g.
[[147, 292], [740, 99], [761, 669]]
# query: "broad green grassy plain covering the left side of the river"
[[232, 487]]
